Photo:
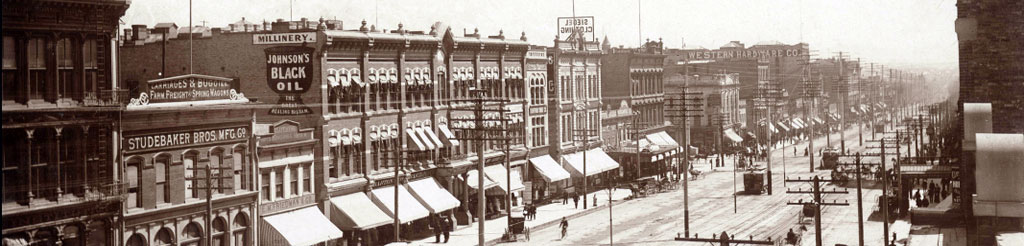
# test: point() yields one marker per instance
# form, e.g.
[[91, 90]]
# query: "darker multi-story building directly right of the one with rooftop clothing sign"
[[633, 80]]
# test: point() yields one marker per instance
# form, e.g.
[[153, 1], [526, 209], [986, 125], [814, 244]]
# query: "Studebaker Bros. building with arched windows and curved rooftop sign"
[[187, 161]]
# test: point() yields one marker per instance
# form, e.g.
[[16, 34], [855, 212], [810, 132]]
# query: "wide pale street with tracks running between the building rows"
[[658, 219]]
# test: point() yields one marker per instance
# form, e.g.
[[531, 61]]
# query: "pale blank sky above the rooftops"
[[906, 33]]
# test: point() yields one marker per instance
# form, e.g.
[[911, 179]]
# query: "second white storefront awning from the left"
[[356, 212]]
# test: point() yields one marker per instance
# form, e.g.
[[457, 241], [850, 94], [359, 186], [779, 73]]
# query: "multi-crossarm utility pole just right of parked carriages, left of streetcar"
[[677, 108]]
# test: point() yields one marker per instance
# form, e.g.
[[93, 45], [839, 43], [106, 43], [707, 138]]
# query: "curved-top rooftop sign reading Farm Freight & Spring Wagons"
[[189, 88]]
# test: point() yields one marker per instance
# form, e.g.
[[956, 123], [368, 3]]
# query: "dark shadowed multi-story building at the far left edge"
[[62, 102]]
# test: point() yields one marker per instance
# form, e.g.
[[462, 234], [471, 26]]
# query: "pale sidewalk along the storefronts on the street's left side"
[[547, 216]]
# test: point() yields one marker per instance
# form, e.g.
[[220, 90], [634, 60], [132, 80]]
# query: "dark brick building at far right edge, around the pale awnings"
[[992, 66]]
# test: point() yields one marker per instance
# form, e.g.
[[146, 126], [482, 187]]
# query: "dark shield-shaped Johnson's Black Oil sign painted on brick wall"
[[289, 73]]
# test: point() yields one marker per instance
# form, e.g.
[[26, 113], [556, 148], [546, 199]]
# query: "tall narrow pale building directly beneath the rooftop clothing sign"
[[575, 110]]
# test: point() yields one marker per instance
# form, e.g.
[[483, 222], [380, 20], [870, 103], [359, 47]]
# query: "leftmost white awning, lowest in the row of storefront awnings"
[[303, 227]]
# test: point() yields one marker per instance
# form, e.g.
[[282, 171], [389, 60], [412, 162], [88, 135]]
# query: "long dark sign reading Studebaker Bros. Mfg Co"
[[182, 139]]
